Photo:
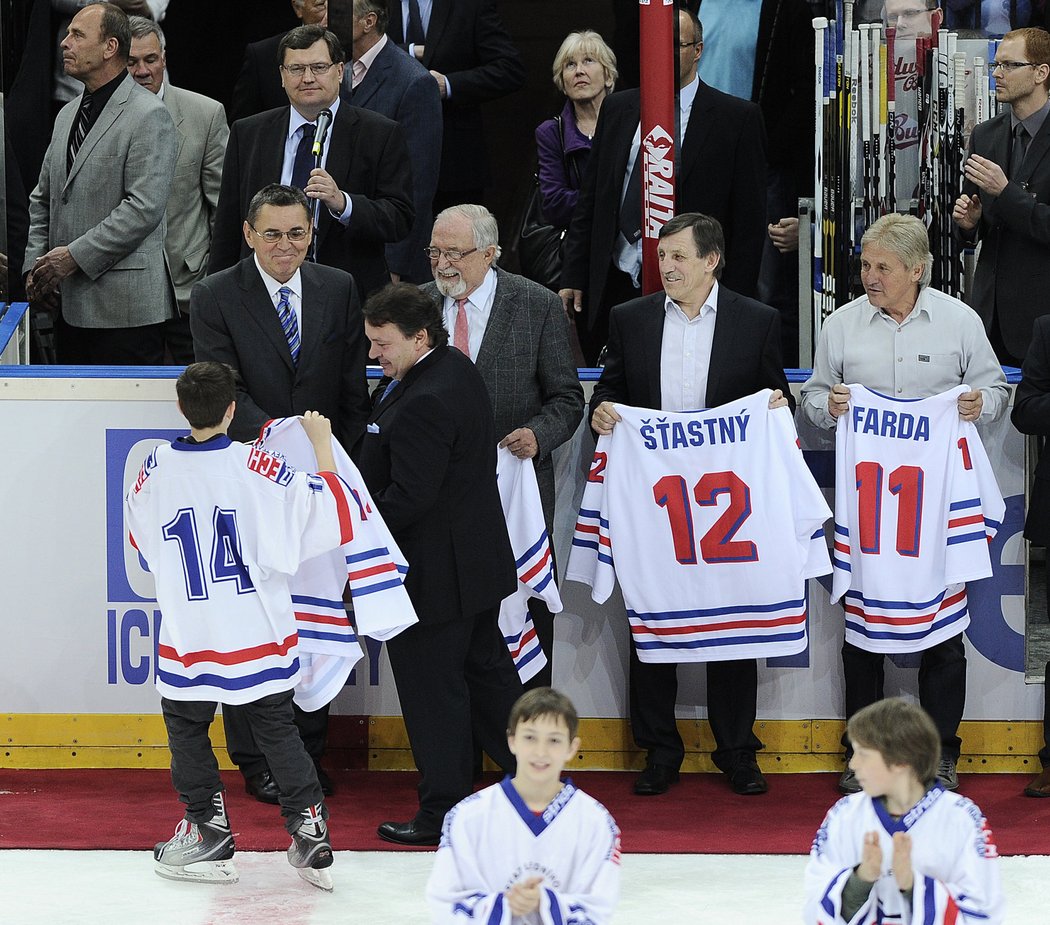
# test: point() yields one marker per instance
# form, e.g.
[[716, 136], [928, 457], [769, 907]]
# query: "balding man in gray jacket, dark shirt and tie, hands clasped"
[[97, 215]]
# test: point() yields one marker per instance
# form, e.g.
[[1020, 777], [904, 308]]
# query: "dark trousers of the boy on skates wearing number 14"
[[195, 771]]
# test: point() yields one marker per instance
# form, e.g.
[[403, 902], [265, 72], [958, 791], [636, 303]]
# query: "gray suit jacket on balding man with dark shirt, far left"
[[110, 212]]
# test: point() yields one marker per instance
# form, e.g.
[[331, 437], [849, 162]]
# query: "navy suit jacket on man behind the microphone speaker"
[[401, 89]]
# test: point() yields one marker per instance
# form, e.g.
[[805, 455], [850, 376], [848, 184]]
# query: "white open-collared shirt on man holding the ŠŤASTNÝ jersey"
[[685, 358]]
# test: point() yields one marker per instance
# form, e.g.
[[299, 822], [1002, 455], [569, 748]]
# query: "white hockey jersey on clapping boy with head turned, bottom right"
[[954, 860]]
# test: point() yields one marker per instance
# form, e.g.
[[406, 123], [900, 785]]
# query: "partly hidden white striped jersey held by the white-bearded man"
[[523, 510]]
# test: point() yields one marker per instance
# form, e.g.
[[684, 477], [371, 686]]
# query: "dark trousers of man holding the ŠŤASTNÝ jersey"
[[732, 708]]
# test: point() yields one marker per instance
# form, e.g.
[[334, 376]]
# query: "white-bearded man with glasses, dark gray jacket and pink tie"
[[518, 335]]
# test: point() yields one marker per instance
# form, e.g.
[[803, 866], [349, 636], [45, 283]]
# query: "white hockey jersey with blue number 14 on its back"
[[223, 527]]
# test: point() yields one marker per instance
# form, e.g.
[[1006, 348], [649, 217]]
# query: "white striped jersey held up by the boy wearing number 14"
[[373, 563]]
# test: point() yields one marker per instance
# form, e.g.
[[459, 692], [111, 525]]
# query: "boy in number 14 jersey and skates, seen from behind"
[[223, 527]]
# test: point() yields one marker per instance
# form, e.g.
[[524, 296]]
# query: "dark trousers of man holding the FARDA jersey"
[[942, 687]]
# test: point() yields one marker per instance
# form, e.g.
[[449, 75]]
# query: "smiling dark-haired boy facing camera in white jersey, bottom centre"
[[533, 850]]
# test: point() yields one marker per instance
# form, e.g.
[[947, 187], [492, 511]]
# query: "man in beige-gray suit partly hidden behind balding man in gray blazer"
[[203, 132]]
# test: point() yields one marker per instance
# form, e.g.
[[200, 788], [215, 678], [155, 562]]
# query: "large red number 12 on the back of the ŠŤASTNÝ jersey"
[[718, 544]]
